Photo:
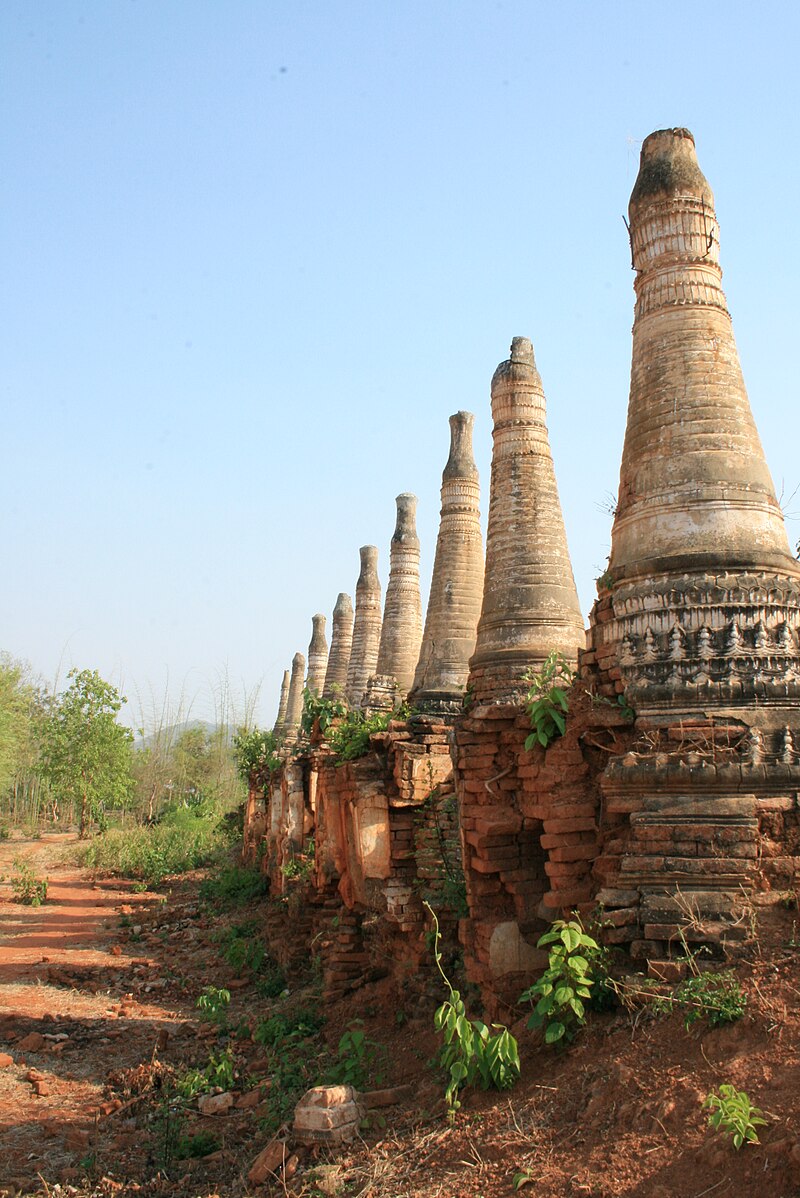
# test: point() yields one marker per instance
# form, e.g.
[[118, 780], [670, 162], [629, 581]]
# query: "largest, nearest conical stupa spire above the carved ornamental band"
[[695, 488]]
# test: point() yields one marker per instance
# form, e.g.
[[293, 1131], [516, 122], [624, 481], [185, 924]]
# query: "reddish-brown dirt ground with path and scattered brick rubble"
[[108, 981]]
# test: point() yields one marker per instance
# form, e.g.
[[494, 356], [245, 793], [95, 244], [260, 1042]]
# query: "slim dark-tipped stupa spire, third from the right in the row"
[[454, 602]]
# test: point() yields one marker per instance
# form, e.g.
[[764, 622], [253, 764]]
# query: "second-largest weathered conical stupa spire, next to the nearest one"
[[531, 603]]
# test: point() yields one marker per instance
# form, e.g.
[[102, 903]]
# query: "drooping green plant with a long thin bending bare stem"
[[470, 1052]]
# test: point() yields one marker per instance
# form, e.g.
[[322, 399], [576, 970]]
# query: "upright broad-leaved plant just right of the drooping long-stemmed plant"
[[562, 994]]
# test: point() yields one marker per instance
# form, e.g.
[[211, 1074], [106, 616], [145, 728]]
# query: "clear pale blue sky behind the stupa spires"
[[254, 255]]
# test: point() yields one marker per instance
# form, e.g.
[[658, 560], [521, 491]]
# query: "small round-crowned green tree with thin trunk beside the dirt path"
[[86, 753]]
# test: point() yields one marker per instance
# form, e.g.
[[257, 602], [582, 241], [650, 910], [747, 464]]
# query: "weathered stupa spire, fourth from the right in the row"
[[403, 614]]
